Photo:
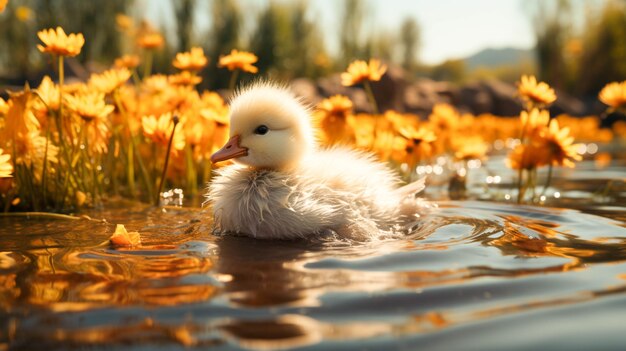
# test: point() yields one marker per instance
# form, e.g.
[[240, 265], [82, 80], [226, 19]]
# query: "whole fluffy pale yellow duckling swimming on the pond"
[[282, 186]]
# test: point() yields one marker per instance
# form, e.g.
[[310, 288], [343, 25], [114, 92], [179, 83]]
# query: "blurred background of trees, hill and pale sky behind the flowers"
[[451, 40]]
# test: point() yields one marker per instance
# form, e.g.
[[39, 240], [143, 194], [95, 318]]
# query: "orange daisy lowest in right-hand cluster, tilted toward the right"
[[557, 146]]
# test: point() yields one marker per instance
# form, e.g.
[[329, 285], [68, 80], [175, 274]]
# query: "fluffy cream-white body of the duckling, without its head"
[[337, 190]]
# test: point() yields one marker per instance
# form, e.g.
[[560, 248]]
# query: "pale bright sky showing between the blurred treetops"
[[449, 28]]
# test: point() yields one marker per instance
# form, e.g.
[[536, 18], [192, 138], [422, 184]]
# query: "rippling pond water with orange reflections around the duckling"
[[472, 275]]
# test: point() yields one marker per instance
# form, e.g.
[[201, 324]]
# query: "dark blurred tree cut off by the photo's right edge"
[[603, 49]]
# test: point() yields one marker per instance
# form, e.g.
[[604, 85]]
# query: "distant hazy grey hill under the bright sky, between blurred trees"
[[499, 57]]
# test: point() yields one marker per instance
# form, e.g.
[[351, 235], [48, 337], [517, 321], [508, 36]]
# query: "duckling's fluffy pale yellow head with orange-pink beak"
[[269, 128]]
